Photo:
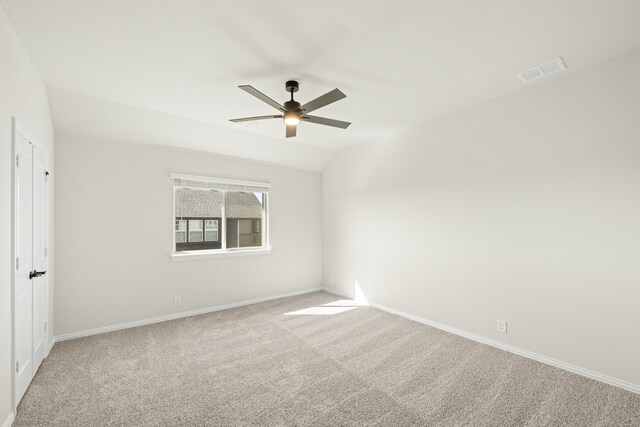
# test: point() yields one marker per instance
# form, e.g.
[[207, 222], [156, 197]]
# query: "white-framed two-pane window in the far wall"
[[219, 216]]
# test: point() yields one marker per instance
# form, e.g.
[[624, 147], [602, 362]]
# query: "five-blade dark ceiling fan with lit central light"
[[292, 112]]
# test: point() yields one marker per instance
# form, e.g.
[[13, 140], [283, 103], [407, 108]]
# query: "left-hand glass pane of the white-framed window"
[[198, 212]]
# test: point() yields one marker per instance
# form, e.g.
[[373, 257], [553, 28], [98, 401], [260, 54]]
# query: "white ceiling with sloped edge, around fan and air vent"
[[166, 72]]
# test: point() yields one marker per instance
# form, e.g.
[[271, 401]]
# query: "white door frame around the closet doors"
[[18, 128]]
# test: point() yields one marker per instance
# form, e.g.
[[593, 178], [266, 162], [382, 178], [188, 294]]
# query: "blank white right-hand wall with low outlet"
[[525, 208]]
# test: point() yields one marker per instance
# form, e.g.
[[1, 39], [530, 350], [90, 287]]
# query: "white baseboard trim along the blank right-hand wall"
[[635, 388]]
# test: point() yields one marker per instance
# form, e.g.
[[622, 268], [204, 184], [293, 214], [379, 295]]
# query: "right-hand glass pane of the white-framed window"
[[242, 210]]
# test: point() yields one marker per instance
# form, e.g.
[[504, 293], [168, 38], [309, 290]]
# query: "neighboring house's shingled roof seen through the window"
[[207, 203]]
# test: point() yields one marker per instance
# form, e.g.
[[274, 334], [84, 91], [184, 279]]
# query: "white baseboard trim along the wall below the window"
[[173, 316]]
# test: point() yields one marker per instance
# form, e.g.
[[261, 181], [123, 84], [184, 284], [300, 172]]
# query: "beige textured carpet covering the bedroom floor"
[[257, 365]]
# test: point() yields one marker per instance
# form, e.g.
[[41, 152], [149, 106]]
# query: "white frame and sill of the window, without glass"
[[224, 184]]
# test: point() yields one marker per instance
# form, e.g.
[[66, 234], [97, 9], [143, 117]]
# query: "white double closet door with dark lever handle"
[[31, 261]]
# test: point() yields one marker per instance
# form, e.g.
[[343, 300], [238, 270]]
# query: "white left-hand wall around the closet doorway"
[[23, 95]]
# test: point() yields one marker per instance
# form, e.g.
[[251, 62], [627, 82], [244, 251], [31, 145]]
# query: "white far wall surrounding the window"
[[114, 225]]
